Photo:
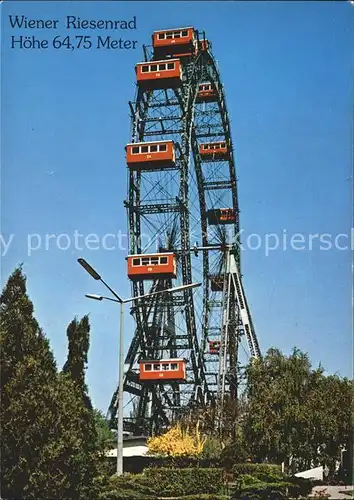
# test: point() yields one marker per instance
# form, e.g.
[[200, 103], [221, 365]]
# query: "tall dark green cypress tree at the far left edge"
[[28, 381]]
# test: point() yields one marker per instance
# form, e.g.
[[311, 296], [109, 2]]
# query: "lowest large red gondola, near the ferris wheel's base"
[[162, 370]]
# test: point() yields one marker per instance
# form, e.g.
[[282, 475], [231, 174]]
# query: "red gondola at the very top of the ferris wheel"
[[177, 43]]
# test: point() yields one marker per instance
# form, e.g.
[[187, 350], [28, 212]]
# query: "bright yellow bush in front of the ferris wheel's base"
[[177, 442]]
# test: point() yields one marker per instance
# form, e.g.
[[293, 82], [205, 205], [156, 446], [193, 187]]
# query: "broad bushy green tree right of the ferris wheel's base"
[[295, 411]]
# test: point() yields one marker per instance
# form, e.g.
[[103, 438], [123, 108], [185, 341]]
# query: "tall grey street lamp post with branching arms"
[[121, 302]]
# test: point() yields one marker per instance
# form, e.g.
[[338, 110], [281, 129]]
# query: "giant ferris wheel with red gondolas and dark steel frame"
[[183, 219]]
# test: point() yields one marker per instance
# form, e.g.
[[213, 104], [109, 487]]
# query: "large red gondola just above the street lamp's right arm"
[[150, 267]]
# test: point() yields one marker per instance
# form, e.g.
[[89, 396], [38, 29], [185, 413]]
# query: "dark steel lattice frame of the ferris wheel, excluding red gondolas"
[[165, 114]]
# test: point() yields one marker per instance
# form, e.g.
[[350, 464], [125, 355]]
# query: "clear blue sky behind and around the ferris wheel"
[[287, 69]]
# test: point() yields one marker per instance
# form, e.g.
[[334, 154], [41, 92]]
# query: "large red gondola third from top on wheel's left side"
[[150, 155]]
